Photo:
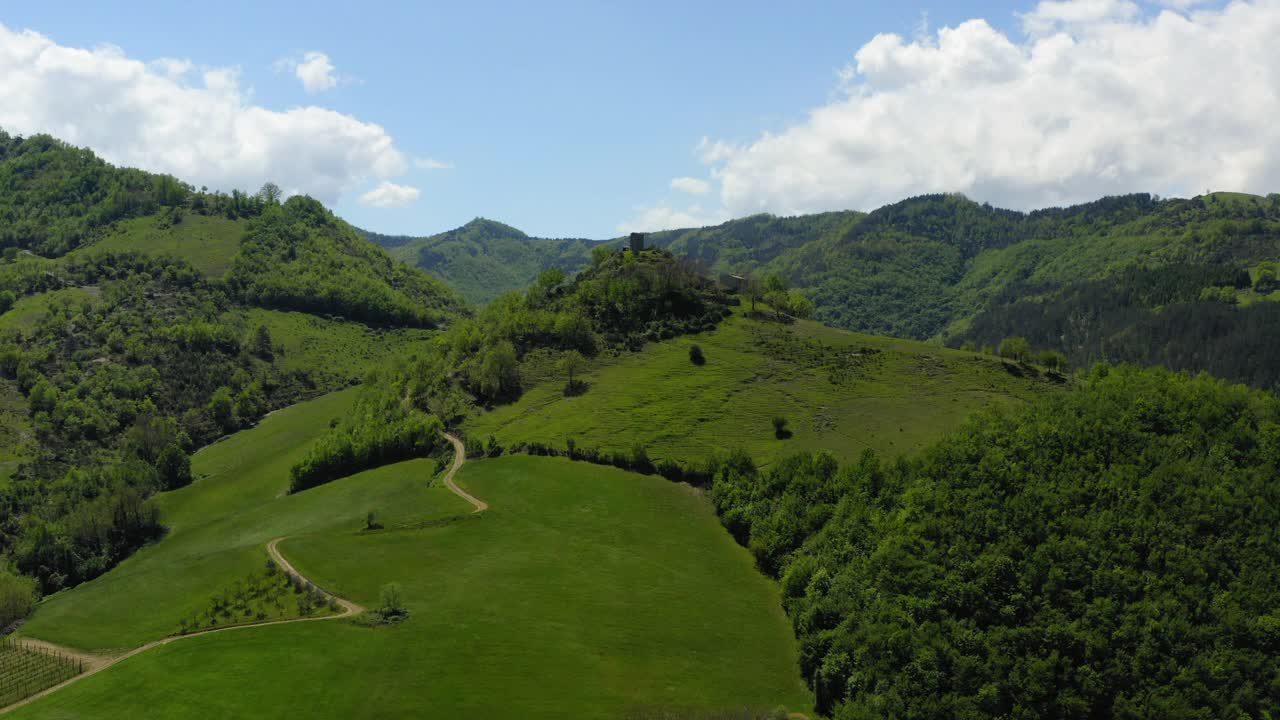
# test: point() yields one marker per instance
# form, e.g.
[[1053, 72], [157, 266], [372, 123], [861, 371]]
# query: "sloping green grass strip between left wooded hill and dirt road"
[[218, 530]]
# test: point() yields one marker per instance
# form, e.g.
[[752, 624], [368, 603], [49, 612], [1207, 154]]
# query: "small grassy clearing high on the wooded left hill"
[[209, 243]]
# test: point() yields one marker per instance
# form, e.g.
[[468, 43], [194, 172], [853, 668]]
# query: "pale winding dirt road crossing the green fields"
[[95, 663]]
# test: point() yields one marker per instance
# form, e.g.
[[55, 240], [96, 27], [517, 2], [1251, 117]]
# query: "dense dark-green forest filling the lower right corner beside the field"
[[1103, 553]]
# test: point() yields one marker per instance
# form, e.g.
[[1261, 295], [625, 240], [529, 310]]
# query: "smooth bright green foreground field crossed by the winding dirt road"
[[583, 593]]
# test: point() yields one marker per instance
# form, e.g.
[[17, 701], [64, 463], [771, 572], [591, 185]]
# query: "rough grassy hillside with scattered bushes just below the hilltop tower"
[[840, 391]]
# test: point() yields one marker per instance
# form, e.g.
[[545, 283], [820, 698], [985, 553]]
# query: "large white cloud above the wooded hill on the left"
[[200, 127]]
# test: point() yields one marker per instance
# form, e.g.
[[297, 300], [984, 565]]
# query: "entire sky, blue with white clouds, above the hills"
[[592, 120]]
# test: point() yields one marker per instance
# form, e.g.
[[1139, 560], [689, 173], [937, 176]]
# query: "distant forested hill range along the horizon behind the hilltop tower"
[[1183, 282]]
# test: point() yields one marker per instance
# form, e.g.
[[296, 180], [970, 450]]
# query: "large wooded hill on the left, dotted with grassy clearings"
[[141, 320]]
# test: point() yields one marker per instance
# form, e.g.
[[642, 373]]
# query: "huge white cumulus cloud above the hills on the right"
[[1094, 98]]
